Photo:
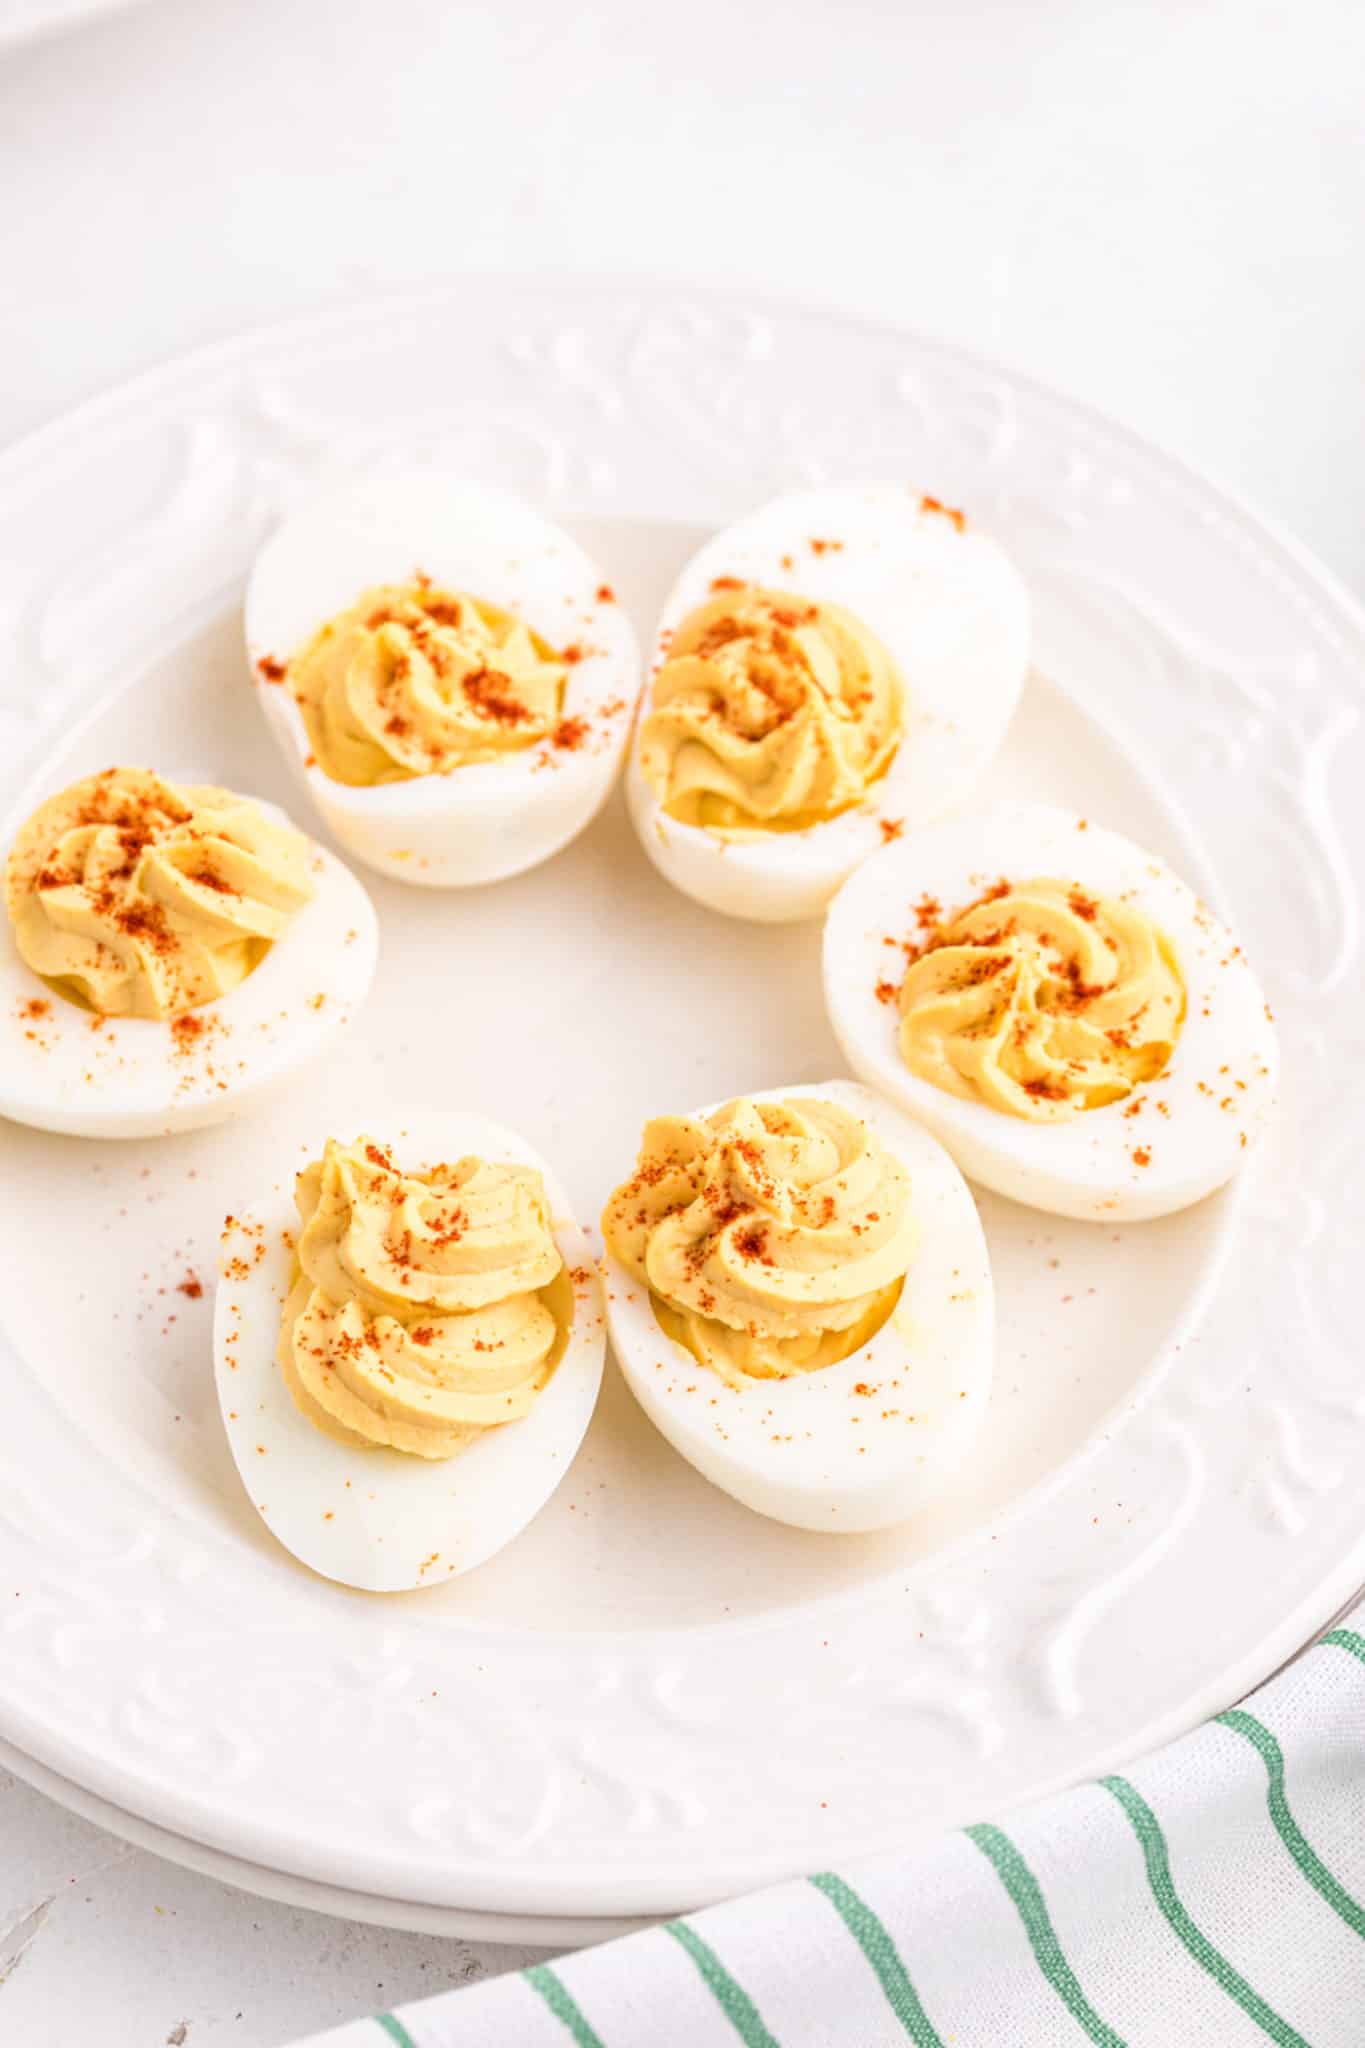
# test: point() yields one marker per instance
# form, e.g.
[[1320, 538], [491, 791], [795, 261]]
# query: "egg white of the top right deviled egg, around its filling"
[[953, 613]]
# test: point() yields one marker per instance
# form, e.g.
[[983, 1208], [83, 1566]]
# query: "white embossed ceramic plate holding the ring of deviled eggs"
[[654, 1699]]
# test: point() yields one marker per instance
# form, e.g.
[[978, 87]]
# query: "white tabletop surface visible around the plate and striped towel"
[[1147, 206]]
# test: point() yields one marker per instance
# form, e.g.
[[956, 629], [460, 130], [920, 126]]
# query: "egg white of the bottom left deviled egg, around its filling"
[[384, 1521]]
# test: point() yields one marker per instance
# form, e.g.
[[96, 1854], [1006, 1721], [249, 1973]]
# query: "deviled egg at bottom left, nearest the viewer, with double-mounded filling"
[[408, 1357]]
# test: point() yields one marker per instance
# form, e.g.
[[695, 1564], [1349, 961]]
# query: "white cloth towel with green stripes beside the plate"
[[1208, 1897]]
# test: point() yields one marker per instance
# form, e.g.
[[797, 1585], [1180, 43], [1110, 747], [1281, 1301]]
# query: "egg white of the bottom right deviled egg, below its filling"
[[865, 1443]]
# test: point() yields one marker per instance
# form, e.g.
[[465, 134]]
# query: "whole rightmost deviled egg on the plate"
[[1059, 1009]]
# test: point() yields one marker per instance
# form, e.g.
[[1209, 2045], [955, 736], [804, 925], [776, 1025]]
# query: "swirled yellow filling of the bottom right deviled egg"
[[773, 1236]]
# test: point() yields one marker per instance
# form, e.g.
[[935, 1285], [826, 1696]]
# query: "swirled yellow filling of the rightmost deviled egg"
[[1043, 1000]]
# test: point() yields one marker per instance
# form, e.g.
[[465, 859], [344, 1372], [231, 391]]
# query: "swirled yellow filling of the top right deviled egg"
[[770, 714]]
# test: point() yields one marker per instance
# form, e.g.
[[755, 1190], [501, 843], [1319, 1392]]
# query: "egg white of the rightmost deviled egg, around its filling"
[[1194, 1123]]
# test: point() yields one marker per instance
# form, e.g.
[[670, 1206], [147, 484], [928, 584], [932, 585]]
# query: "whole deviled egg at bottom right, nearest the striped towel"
[[801, 1302]]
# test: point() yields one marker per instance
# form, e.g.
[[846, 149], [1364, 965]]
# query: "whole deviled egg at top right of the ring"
[[830, 673]]
